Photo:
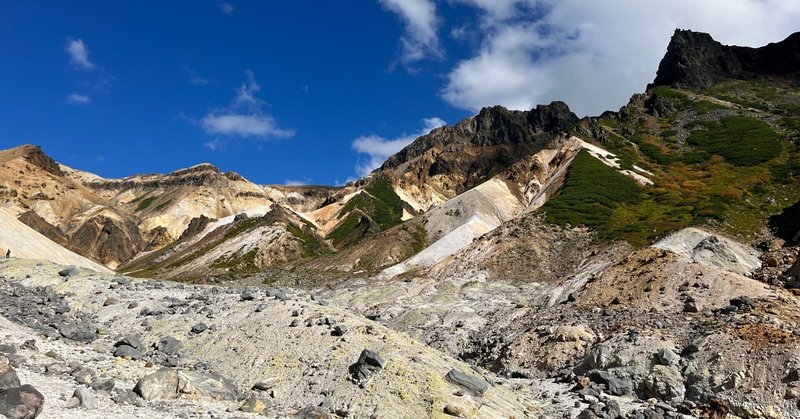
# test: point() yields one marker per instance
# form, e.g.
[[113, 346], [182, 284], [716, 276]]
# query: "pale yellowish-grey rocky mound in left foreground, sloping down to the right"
[[132, 348]]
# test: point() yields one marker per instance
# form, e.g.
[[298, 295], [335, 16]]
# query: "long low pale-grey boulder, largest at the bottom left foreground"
[[170, 384]]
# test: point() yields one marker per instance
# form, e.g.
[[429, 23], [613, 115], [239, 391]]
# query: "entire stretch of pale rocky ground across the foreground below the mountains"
[[679, 330]]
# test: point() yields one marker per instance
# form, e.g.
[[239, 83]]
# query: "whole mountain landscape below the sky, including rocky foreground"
[[639, 264]]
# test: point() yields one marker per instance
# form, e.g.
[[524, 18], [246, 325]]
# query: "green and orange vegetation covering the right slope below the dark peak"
[[731, 174]]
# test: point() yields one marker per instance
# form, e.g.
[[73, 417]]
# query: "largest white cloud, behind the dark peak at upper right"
[[594, 55]]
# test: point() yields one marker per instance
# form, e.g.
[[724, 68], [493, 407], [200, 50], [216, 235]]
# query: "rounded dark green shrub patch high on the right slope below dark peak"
[[742, 140]]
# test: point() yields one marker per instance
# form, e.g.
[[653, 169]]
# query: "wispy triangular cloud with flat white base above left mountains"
[[244, 117]]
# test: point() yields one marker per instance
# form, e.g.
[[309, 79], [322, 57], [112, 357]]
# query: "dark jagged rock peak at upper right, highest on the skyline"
[[694, 60]]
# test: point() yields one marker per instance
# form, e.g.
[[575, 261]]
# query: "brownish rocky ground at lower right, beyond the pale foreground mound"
[[682, 330]]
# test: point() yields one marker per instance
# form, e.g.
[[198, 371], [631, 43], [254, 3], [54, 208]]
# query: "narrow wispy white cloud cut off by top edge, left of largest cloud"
[[420, 39]]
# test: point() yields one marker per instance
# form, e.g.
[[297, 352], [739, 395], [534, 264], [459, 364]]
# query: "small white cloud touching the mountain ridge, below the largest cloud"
[[378, 148]]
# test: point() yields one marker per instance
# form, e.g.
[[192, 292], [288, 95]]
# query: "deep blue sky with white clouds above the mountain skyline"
[[318, 91]]
